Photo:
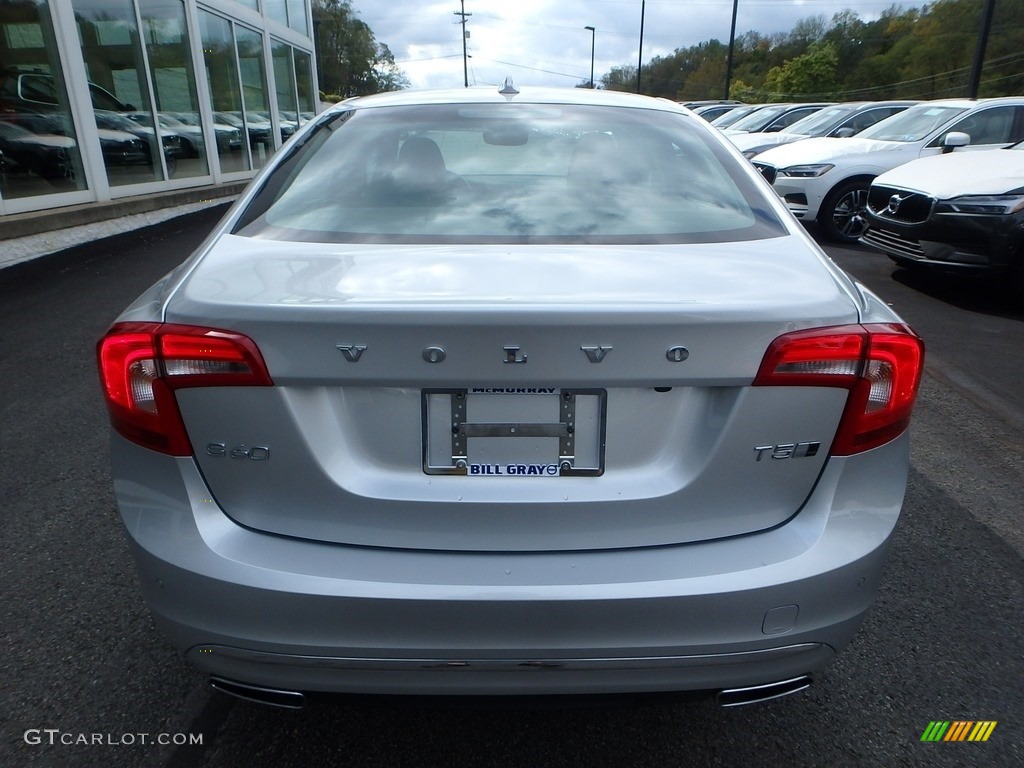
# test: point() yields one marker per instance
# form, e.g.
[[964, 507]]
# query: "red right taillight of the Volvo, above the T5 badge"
[[881, 365]]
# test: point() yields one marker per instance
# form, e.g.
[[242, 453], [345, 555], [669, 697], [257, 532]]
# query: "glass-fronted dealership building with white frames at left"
[[112, 101]]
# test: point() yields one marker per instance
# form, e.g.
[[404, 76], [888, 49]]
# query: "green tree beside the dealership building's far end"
[[350, 60]]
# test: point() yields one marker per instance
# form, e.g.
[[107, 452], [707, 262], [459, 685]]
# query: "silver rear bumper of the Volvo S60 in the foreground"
[[296, 615]]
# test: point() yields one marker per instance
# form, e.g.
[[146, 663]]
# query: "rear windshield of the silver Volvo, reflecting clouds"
[[495, 174]]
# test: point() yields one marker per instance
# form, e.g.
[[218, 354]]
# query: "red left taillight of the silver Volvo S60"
[[142, 365]]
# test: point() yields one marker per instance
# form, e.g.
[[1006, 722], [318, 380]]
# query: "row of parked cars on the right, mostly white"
[[903, 178]]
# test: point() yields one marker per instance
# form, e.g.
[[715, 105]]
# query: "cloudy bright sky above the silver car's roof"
[[543, 42]]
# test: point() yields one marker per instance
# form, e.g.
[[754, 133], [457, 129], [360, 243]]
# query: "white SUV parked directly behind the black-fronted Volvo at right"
[[827, 180]]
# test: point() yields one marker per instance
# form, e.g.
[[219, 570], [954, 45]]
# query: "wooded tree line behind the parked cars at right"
[[905, 54]]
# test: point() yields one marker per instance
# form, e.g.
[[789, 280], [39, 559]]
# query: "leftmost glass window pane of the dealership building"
[[39, 149]]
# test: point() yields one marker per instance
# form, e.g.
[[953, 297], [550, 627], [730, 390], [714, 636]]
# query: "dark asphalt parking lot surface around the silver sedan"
[[82, 659]]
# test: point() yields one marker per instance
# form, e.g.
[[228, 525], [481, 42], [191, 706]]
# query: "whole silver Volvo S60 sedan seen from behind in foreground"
[[496, 393]]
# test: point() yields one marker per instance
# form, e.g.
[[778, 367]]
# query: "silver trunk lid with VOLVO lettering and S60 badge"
[[598, 398]]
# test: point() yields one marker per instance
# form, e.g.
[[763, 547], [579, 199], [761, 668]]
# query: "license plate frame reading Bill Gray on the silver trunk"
[[517, 432]]
